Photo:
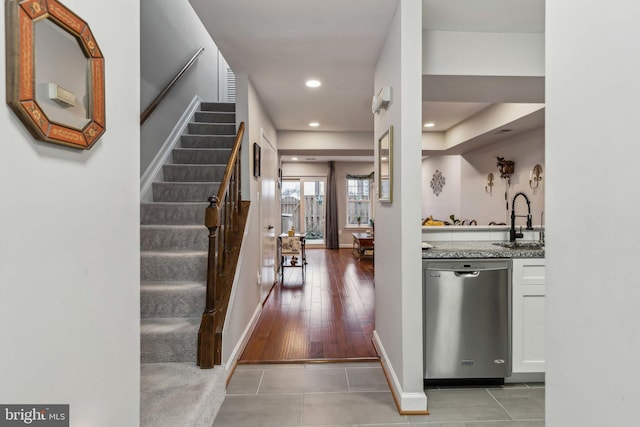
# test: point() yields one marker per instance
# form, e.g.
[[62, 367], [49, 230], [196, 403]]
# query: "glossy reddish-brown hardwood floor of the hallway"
[[328, 317]]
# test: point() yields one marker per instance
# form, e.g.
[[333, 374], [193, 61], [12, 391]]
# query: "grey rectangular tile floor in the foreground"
[[357, 395]]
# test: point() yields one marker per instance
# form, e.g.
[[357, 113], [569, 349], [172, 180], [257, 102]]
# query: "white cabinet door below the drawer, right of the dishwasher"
[[528, 328]]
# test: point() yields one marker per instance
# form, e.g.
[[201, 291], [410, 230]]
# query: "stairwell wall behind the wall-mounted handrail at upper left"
[[171, 33]]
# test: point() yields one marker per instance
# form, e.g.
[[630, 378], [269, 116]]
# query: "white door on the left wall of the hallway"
[[269, 168]]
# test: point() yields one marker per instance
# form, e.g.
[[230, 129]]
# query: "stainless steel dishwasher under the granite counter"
[[467, 319]]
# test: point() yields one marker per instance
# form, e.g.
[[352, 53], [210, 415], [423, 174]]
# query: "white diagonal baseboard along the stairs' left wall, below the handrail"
[[154, 170]]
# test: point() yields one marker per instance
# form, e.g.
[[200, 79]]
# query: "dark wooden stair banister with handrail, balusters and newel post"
[[222, 218]]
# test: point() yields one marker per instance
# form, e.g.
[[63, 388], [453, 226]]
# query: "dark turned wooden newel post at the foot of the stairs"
[[206, 334]]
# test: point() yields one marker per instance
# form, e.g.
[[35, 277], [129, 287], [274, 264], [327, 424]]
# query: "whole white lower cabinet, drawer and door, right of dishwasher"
[[528, 319]]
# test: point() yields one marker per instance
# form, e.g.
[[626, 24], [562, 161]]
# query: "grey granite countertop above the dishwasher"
[[476, 249]]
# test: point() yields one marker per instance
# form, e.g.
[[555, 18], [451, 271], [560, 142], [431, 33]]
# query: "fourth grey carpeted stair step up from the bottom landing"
[[173, 237]]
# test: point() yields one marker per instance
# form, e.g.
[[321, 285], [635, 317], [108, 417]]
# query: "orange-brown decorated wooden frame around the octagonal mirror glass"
[[21, 17]]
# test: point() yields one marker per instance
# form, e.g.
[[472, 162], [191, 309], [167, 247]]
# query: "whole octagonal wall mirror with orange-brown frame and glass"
[[55, 73]]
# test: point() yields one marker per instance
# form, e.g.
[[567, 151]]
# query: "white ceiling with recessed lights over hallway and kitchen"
[[282, 43]]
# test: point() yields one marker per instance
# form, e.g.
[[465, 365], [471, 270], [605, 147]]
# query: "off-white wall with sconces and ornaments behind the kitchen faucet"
[[464, 192]]
